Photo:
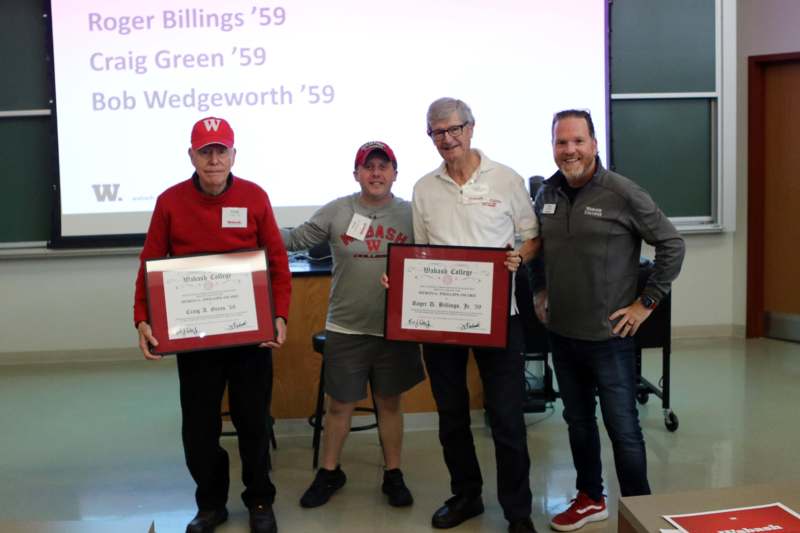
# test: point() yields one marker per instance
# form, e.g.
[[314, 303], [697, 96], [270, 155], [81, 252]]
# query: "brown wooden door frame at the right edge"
[[756, 185]]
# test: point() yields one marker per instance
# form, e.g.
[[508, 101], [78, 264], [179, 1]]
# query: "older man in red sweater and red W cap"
[[212, 212]]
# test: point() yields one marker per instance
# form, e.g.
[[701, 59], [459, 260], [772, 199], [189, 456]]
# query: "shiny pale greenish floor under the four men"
[[96, 447]]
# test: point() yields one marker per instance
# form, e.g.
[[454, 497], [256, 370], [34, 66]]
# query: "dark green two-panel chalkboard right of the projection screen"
[[666, 144]]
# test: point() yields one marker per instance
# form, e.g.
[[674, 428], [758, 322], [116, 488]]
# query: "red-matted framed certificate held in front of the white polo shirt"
[[448, 295]]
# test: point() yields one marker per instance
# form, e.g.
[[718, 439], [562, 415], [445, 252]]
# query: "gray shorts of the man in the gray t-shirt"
[[391, 367]]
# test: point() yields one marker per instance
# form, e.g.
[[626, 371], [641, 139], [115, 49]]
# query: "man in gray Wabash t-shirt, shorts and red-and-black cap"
[[359, 228]]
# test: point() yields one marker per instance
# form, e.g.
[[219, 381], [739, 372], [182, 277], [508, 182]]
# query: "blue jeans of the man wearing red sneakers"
[[606, 369]]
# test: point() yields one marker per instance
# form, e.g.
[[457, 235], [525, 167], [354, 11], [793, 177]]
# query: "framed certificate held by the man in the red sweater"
[[209, 301]]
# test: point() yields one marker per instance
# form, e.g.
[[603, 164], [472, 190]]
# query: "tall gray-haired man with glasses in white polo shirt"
[[470, 200]]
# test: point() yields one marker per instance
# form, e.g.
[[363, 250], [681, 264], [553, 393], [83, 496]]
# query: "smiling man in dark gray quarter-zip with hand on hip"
[[593, 222]]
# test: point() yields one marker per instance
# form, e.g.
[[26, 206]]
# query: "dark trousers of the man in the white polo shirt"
[[502, 375]]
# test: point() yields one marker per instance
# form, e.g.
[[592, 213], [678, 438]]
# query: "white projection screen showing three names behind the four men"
[[304, 83]]
